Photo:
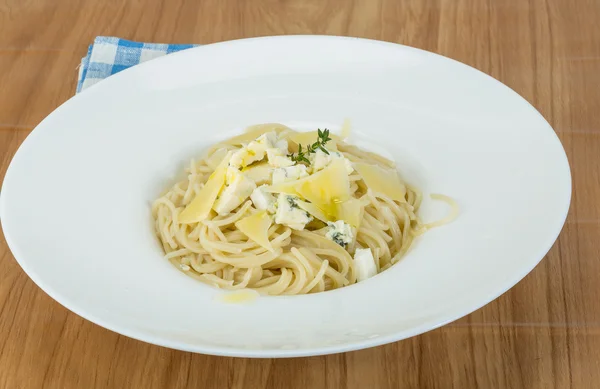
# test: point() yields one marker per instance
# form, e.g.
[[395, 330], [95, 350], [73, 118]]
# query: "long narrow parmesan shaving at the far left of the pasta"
[[201, 205]]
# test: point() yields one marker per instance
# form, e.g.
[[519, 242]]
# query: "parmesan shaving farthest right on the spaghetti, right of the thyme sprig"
[[383, 181]]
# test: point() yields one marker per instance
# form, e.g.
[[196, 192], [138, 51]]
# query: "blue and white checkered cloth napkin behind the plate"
[[109, 55]]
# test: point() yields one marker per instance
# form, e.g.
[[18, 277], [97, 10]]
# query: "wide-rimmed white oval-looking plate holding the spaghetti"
[[75, 202]]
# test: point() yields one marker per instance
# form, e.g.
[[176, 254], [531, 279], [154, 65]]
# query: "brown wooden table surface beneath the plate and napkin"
[[544, 333]]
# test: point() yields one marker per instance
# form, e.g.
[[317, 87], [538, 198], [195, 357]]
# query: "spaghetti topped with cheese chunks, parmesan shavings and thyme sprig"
[[286, 212]]
